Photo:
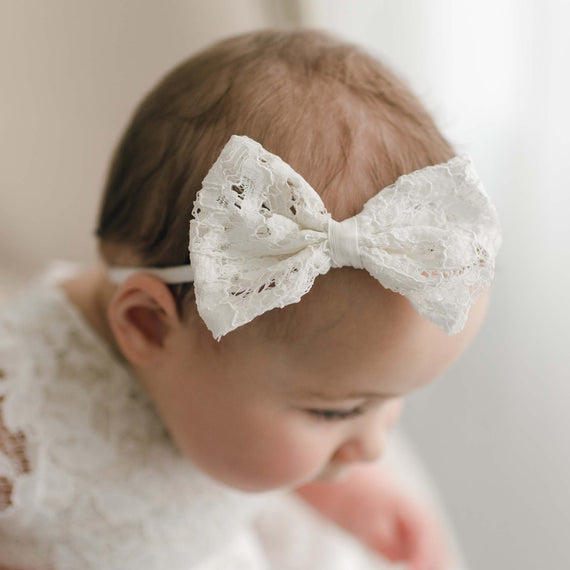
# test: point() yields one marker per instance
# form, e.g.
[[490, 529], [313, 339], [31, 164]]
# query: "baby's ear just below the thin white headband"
[[142, 313]]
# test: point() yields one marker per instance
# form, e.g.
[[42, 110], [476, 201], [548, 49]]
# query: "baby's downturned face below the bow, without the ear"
[[259, 416]]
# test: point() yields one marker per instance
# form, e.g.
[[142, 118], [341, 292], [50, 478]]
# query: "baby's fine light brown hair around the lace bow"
[[339, 116]]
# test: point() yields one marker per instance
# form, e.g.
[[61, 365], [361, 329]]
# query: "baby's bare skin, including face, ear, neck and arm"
[[260, 414]]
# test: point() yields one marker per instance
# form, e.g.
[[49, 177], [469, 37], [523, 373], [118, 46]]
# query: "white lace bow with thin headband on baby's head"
[[260, 235]]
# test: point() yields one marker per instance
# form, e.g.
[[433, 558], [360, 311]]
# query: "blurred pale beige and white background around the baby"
[[494, 429]]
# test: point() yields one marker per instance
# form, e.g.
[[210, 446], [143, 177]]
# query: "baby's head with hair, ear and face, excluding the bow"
[[303, 390]]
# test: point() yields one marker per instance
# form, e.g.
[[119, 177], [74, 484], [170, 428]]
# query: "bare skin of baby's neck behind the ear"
[[90, 292]]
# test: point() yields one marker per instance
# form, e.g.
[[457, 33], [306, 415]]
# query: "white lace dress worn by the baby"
[[90, 480]]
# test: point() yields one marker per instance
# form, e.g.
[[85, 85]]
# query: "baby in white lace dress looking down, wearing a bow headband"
[[132, 436]]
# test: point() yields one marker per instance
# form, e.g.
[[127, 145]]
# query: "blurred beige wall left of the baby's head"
[[72, 73]]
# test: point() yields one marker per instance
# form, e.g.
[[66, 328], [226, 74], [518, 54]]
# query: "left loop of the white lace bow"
[[258, 238]]
